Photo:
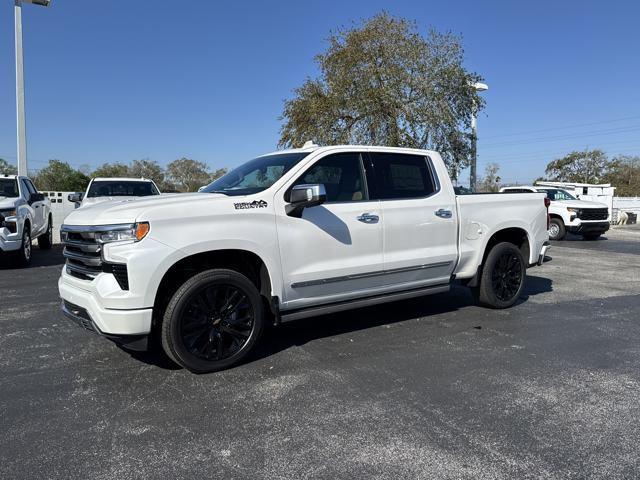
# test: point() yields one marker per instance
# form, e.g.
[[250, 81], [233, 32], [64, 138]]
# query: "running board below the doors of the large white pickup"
[[288, 316]]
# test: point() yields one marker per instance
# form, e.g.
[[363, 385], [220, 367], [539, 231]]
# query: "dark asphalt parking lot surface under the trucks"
[[430, 388]]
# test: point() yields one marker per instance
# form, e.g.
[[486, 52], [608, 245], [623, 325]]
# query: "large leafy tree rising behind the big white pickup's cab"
[[383, 83]]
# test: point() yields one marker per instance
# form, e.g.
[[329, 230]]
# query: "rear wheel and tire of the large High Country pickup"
[[502, 278]]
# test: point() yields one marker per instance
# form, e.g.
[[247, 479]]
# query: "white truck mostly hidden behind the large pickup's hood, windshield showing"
[[109, 189]]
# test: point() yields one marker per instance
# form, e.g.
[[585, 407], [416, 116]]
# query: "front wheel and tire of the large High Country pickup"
[[201, 332]]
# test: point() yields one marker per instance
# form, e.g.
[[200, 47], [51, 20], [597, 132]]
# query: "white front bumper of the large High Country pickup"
[[107, 321]]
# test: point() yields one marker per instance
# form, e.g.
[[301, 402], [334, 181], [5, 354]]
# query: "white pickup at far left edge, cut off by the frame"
[[25, 214]]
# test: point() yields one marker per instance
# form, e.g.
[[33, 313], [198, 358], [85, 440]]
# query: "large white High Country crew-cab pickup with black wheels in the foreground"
[[288, 235]]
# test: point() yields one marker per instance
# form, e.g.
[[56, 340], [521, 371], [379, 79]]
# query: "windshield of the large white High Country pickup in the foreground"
[[256, 175]]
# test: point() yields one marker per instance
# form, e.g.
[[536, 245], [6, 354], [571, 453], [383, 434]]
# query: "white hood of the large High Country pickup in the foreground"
[[139, 208]]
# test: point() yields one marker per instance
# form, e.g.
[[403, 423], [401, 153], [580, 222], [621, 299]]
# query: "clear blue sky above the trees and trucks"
[[117, 80]]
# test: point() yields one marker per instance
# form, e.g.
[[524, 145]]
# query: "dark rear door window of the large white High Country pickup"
[[402, 176]]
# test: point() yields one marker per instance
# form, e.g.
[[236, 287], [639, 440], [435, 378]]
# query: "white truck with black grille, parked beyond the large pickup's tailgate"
[[568, 214]]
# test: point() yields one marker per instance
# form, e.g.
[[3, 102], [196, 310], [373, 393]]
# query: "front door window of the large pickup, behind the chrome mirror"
[[342, 175]]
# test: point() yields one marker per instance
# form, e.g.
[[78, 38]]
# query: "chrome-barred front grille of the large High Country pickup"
[[84, 257]]
